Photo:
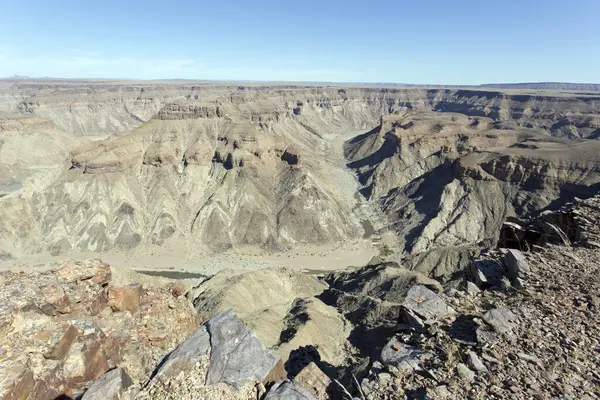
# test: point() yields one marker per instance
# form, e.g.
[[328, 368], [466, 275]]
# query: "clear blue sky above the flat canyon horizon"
[[436, 42]]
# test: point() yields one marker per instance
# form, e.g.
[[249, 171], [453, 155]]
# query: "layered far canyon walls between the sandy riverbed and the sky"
[[203, 168]]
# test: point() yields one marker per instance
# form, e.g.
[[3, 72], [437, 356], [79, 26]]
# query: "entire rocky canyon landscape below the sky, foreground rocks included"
[[377, 242]]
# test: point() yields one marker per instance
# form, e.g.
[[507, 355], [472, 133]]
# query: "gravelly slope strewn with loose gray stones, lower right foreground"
[[532, 332]]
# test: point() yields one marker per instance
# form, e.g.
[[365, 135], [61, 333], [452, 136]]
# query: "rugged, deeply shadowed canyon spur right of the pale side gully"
[[451, 180]]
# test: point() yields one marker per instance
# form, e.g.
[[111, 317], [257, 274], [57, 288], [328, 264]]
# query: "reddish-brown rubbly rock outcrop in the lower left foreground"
[[59, 330]]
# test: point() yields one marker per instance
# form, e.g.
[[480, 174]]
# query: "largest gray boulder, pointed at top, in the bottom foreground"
[[238, 357]]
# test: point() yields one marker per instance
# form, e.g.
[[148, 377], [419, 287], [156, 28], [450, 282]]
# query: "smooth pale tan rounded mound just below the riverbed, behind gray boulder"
[[280, 305]]
